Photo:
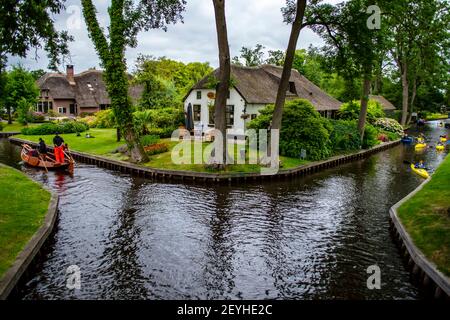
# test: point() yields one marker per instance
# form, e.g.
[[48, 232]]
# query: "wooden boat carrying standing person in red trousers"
[[33, 159]]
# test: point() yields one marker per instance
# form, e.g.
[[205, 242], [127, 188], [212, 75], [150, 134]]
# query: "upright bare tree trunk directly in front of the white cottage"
[[224, 76]]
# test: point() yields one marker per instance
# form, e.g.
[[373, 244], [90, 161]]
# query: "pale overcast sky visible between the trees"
[[249, 22]]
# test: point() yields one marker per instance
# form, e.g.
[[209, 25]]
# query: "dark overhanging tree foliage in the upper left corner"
[[28, 24]]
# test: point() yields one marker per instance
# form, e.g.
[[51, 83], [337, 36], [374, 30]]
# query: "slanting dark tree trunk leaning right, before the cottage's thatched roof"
[[289, 59]]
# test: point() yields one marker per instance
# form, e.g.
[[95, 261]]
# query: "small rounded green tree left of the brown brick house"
[[21, 92]]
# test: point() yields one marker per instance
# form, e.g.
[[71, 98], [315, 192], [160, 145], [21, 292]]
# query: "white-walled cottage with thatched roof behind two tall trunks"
[[254, 88]]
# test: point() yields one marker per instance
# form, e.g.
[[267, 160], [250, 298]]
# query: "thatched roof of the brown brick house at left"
[[89, 89]]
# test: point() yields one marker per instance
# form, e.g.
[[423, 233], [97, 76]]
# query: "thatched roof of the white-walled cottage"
[[259, 85]]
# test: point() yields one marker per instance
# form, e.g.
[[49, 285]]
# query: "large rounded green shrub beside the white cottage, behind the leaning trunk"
[[302, 129]]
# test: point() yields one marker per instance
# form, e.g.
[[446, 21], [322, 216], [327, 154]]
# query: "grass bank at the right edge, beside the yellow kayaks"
[[426, 217]]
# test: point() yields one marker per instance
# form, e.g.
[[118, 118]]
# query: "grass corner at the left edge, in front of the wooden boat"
[[22, 210]]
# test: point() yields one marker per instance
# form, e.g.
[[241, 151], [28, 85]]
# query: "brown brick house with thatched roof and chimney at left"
[[71, 94]]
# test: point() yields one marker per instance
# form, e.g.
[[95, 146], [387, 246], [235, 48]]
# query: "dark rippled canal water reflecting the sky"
[[308, 238]]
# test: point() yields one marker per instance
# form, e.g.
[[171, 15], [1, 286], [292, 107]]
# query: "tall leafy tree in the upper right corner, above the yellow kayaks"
[[418, 39]]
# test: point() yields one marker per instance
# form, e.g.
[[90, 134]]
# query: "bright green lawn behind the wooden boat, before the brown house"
[[103, 143]]
